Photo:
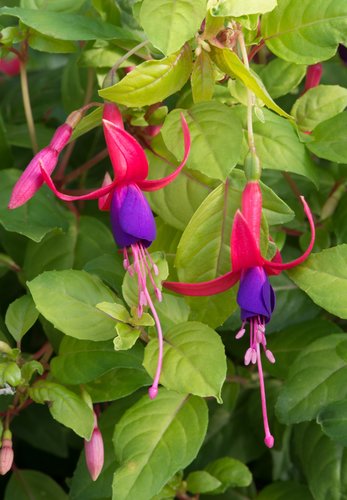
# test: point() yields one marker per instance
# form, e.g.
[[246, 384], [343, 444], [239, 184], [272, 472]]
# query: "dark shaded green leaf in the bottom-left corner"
[[29, 484]]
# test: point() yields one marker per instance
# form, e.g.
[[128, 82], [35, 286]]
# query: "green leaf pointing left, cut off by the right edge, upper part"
[[329, 139]]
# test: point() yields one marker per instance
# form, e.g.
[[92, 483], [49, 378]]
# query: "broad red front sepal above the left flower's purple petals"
[[127, 156]]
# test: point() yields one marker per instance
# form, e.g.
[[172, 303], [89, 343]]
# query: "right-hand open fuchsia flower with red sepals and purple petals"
[[255, 296]]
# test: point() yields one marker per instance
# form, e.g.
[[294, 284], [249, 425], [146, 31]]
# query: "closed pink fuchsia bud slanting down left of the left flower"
[[31, 179]]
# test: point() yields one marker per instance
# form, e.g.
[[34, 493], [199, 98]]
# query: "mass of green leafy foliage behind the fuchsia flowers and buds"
[[58, 263]]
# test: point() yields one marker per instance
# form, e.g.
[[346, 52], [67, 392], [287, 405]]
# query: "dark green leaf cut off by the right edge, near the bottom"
[[333, 421]]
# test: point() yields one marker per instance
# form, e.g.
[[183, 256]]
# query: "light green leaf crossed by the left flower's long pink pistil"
[[193, 361]]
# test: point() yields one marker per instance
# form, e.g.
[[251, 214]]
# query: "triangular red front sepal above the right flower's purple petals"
[[245, 252]]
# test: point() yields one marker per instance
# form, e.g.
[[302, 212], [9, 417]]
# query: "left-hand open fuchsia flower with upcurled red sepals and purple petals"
[[132, 221]]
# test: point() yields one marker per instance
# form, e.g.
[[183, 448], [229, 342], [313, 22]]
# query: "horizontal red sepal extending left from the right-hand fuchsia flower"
[[204, 288]]
